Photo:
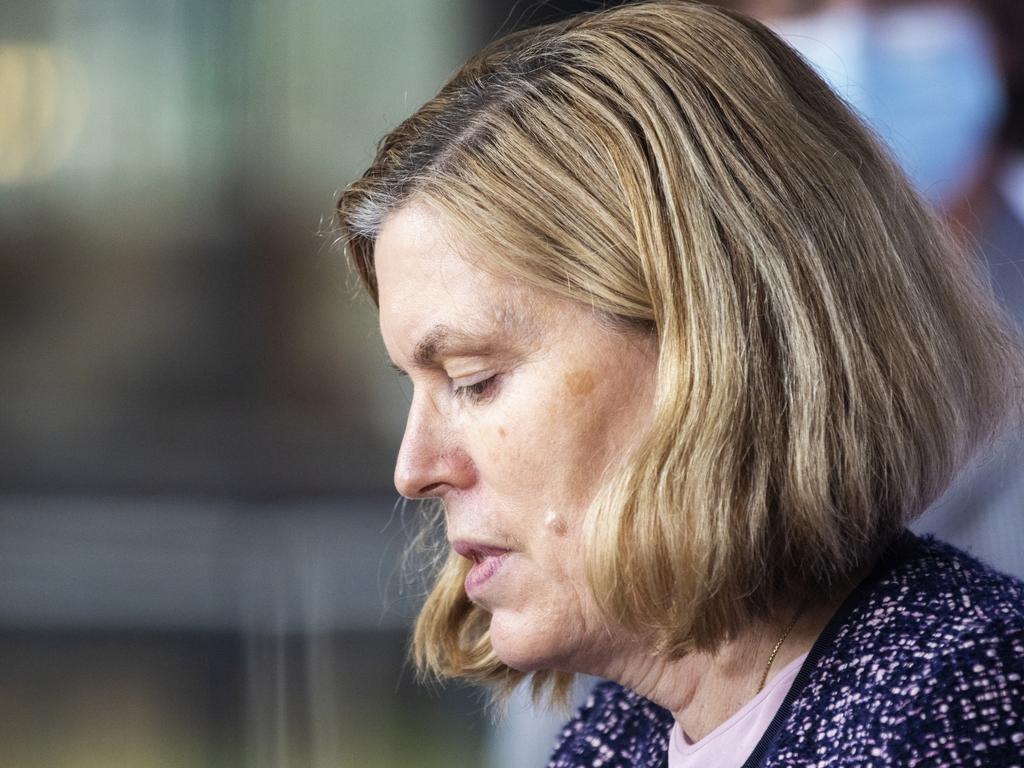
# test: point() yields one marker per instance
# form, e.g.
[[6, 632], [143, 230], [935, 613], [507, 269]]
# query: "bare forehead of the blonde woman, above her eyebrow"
[[424, 280]]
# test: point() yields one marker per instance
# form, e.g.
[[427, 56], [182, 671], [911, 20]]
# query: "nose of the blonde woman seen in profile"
[[431, 461]]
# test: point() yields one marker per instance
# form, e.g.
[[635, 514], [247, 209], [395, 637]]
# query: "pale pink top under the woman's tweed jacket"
[[731, 744]]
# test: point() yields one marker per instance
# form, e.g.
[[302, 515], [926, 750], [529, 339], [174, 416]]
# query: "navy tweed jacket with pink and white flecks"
[[923, 665]]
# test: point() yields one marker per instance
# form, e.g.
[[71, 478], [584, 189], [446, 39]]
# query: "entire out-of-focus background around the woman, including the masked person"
[[200, 546]]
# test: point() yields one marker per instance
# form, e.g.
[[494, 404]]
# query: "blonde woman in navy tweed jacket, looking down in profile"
[[689, 354]]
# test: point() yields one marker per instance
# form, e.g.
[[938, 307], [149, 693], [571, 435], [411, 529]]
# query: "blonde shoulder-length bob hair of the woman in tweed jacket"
[[828, 358]]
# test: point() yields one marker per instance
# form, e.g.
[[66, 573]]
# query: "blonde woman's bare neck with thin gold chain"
[[703, 691]]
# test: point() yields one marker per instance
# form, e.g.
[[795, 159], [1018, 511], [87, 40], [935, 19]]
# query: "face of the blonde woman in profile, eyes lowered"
[[521, 403]]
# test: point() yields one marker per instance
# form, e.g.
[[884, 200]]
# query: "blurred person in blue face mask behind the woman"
[[943, 84]]
